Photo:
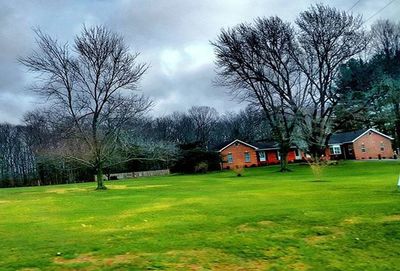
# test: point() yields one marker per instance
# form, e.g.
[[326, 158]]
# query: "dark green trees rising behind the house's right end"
[[373, 85]]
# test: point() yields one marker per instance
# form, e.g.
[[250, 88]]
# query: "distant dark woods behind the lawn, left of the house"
[[34, 153]]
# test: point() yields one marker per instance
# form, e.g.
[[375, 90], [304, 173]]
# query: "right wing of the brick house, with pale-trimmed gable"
[[360, 144]]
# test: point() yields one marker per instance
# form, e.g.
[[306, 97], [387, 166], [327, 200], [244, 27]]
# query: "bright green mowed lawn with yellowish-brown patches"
[[264, 220]]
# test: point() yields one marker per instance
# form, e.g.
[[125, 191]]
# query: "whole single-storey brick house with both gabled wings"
[[361, 144]]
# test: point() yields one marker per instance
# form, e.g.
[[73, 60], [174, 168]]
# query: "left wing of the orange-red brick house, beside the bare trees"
[[240, 153]]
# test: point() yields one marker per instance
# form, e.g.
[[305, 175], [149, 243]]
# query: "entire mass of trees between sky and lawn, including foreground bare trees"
[[302, 82]]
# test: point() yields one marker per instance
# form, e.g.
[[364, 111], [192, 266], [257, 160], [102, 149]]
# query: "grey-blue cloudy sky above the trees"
[[173, 36]]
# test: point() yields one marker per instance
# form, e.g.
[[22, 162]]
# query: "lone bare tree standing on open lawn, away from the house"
[[90, 85]]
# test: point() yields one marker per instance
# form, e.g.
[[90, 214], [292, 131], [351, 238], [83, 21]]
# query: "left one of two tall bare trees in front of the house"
[[256, 62]]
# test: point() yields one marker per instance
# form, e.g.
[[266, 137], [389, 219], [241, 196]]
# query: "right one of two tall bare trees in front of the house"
[[327, 38]]
